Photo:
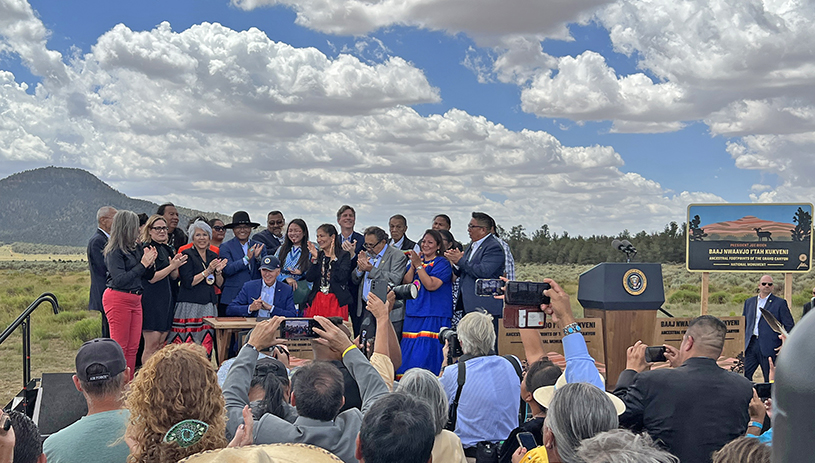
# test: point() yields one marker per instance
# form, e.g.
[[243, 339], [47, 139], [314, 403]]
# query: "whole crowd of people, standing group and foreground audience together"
[[397, 396]]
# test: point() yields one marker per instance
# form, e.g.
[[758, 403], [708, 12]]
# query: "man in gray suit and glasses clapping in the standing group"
[[379, 267]]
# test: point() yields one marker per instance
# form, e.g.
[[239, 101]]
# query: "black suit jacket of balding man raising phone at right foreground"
[[694, 410]]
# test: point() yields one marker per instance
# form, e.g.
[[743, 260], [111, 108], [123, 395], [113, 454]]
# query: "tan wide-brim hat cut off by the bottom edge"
[[269, 453]]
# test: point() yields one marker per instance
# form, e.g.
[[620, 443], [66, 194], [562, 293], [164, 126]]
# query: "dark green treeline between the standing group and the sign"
[[544, 246]]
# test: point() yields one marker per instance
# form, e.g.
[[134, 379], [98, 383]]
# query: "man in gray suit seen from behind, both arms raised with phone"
[[317, 393]]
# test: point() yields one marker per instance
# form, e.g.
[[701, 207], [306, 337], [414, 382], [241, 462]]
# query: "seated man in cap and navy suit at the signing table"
[[264, 297]]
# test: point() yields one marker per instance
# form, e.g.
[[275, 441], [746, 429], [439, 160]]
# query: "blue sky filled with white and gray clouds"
[[592, 116]]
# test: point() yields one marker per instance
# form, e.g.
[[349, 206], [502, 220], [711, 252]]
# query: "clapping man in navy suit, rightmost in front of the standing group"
[[483, 258]]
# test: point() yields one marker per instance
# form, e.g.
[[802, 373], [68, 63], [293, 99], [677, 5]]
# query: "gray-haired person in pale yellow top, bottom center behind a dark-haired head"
[[424, 385]]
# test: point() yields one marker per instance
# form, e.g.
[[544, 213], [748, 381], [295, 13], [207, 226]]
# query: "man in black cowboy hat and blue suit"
[[243, 258]]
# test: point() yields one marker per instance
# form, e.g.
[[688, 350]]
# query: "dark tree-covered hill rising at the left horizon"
[[57, 205]]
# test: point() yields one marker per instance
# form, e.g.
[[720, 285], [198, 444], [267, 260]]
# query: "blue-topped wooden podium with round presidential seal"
[[626, 297]]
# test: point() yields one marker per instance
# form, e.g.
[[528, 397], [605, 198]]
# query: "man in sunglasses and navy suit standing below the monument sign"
[[760, 341]]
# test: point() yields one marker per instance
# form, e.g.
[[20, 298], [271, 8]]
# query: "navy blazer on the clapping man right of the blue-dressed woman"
[[487, 262]]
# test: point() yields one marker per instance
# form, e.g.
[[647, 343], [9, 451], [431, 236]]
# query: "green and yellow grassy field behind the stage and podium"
[[55, 338]]
